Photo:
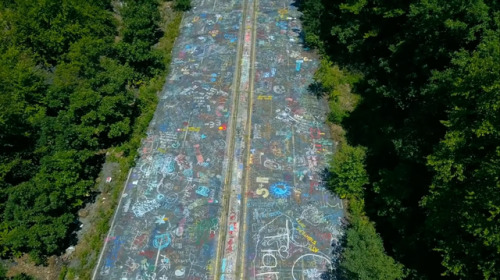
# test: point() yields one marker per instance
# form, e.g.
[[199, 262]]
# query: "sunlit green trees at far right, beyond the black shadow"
[[466, 163]]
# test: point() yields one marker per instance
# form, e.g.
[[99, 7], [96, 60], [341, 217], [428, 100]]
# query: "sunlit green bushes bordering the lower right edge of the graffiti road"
[[363, 255]]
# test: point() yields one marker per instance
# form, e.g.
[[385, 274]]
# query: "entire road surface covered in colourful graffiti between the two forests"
[[228, 184]]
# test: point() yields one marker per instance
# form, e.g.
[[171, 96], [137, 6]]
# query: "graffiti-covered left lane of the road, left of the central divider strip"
[[170, 214]]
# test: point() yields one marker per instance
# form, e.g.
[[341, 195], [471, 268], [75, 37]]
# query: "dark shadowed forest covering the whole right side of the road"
[[423, 153]]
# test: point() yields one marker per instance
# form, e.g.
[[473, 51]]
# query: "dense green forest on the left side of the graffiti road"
[[74, 79]]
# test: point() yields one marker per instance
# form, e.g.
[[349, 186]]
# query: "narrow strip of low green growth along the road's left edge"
[[146, 100]]
